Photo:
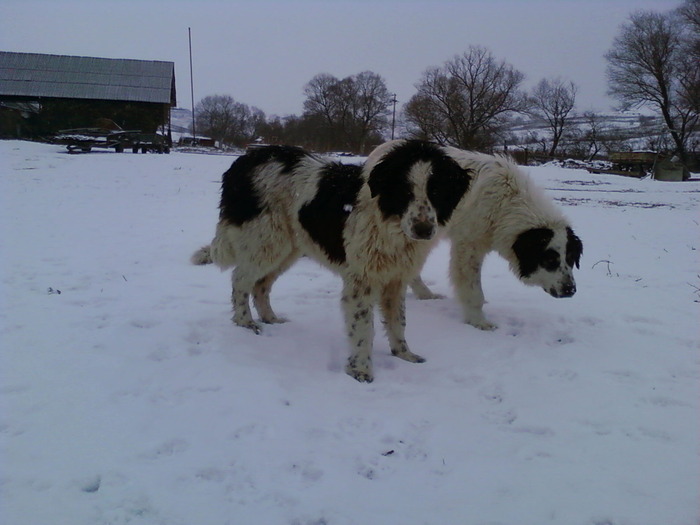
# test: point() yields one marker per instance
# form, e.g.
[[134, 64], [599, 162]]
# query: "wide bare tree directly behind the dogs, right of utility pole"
[[466, 101]]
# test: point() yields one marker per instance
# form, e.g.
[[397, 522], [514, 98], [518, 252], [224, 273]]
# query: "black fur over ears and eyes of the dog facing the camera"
[[389, 179]]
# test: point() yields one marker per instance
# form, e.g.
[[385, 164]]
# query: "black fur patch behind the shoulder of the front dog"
[[324, 216]]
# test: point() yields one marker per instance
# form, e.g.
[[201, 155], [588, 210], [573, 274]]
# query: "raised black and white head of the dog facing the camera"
[[416, 182]]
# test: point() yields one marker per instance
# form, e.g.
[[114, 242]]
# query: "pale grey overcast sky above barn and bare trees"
[[263, 52]]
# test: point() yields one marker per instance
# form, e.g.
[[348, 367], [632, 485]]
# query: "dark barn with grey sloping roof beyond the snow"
[[42, 94]]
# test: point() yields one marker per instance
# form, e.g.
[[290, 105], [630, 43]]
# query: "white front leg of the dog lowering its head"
[[465, 271]]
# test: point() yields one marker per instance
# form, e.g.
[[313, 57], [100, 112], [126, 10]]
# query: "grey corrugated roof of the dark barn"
[[59, 76]]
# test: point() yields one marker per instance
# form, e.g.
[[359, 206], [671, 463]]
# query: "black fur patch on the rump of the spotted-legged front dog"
[[240, 201]]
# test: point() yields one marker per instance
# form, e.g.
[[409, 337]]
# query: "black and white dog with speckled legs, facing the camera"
[[373, 227]]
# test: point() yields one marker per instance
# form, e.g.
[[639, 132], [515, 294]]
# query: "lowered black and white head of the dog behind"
[[546, 257]]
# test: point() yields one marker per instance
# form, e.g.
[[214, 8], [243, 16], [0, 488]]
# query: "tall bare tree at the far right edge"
[[647, 66]]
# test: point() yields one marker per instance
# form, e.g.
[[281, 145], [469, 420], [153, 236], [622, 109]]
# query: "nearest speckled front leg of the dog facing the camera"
[[358, 308]]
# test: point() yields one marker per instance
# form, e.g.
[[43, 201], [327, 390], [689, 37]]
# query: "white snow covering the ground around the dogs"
[[130, 398]]
